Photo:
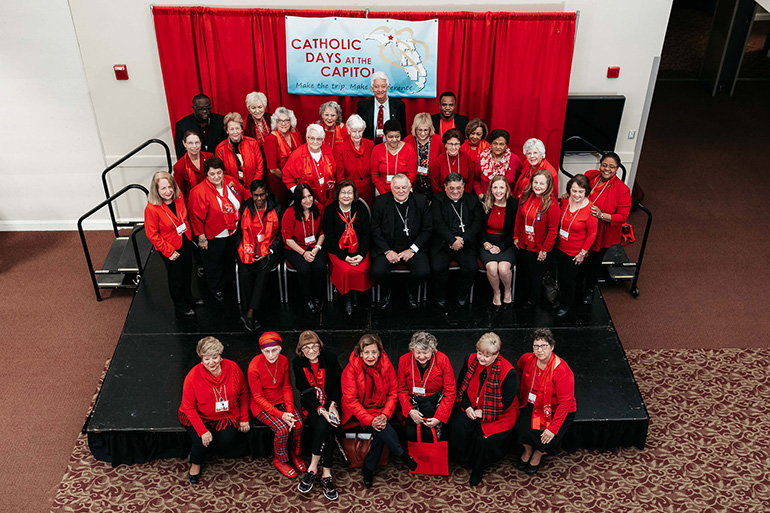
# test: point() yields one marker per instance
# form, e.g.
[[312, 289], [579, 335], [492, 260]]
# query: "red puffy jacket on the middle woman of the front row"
[[357, 407]]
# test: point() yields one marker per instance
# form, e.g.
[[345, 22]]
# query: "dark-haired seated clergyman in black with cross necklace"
[[457, 219]]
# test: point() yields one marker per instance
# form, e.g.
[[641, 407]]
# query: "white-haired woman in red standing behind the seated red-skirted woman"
[[353, 158]]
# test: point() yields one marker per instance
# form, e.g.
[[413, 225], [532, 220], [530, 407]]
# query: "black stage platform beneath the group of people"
[[135, 415]]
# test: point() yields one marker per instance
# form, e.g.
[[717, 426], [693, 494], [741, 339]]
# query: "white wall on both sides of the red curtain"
[[610, 33]]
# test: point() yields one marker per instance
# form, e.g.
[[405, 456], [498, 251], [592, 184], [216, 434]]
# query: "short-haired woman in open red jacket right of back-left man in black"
[[241, 154]]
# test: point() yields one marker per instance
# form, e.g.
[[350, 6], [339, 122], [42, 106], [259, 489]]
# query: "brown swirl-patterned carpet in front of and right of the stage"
[[707, 450]]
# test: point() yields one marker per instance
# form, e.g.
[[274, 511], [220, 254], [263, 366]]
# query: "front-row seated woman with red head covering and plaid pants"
[[272, 402]]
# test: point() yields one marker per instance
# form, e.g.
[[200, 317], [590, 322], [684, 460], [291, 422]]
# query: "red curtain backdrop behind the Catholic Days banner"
[[510, 69]]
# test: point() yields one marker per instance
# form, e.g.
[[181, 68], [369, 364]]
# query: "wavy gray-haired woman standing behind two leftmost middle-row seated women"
[[283, 140]]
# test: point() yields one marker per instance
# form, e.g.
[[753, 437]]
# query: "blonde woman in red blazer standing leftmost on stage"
[[165, 222]]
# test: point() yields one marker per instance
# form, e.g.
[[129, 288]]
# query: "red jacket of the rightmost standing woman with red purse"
[[613, 199]]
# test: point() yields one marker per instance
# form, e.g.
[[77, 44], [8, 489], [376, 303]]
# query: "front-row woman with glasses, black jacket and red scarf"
[[318, 374]]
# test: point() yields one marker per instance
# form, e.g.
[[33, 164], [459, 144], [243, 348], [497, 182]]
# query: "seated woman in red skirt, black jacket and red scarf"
[[347, 232]]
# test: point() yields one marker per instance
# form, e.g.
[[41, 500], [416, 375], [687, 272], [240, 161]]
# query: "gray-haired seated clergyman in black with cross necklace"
[[401, 231]]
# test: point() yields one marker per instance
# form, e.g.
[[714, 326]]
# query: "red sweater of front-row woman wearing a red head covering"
[[266, 395]]
